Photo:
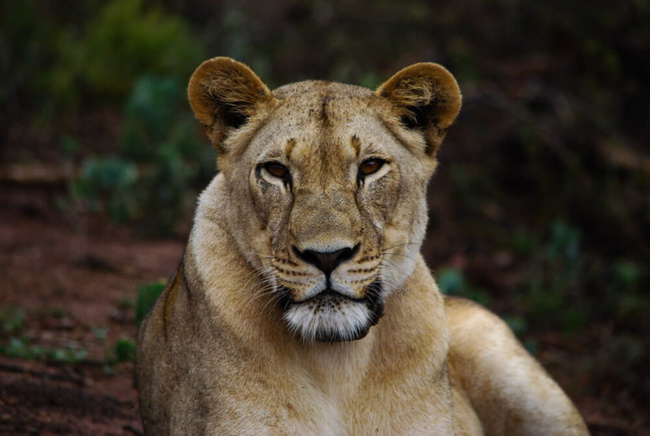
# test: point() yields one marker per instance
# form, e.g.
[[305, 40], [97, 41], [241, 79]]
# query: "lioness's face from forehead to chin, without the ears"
[[326, 190]]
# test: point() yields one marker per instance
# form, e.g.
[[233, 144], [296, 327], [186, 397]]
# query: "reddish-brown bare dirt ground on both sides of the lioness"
[[74, 279]]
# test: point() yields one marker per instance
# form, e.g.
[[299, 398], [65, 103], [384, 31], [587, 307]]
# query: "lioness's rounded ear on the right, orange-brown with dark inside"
[[427, 98]]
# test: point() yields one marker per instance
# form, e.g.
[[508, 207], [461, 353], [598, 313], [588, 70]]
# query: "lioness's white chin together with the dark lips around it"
[[333, 317]]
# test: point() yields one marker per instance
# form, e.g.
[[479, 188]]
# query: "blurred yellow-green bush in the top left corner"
[[53, 58]]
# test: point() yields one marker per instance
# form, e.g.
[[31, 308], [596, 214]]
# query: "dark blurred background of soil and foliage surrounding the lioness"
[[540, 209]]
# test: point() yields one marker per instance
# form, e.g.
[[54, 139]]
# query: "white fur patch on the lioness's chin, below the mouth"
[[329, 319]]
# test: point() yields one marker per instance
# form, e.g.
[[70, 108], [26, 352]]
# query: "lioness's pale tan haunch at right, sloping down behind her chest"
[[507, 388]]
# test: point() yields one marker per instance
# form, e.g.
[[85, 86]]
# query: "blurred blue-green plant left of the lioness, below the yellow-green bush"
[[162, 158]]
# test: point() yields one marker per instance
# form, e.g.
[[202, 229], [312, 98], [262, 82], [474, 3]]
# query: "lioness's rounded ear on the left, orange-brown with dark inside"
[[223, 94]]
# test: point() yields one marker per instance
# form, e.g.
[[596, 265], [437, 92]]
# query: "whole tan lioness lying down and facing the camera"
[[302, 305]]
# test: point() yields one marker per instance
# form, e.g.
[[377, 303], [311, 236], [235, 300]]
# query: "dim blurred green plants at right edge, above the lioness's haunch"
[[560, 277]]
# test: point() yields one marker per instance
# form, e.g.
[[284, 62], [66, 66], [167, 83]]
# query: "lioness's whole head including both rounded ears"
[[329, 184]]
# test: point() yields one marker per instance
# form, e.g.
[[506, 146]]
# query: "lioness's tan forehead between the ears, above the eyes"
[[322, 122]]
